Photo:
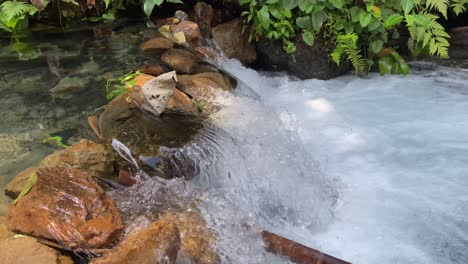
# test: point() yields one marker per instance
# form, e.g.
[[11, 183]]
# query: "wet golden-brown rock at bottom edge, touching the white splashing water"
[[198, 243]]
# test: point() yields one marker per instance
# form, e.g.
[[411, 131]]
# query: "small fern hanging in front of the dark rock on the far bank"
[[347, 44]]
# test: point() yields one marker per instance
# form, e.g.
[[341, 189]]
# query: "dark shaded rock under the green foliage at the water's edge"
[[310, 62]]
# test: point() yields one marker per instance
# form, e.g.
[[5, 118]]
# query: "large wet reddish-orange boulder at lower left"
[[67, 205]]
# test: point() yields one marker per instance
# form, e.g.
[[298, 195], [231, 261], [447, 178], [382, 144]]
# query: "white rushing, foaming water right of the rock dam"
[[369, 170]]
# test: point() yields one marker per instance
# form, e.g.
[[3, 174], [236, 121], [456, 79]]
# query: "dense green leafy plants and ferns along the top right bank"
[[347, 26]]
